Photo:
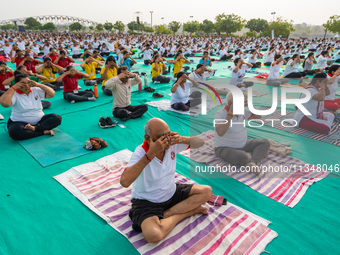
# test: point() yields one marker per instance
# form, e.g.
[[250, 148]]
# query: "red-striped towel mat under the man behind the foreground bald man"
[[284, 187]]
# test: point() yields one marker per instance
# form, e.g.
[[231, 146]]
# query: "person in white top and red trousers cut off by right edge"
[[332, 103]]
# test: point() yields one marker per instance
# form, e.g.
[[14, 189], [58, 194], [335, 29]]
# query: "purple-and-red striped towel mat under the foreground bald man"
[[226, 230]]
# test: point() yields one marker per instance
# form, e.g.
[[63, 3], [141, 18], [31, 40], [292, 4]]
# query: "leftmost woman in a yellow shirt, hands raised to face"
[[50, 70]]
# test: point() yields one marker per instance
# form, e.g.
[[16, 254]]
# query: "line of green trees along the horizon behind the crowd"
[[227, 24]]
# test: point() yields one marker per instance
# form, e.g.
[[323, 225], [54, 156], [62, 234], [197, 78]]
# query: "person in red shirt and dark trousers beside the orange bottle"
[[71, 90]]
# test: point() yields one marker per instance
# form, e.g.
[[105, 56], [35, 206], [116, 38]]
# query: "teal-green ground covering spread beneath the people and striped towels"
[[39, 217]]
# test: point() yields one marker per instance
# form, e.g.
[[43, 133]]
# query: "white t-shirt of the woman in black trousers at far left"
[[28, 108]]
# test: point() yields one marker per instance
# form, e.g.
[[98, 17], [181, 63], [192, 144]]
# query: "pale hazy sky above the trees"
[[296, 10]]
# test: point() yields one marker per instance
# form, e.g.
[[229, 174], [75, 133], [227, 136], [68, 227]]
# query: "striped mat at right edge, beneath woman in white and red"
[[332, 137]]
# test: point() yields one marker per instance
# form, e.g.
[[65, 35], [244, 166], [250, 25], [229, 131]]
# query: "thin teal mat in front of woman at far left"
[[48, 150]]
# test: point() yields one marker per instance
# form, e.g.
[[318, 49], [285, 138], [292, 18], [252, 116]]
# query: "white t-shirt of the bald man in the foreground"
[[156, 183]]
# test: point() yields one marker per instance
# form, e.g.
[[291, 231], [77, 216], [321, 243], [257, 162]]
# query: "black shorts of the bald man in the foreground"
[[143, 209]]
